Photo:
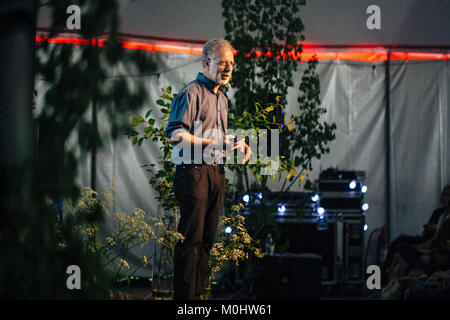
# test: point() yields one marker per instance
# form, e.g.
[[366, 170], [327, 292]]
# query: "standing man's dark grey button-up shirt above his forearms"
[[198, 102]]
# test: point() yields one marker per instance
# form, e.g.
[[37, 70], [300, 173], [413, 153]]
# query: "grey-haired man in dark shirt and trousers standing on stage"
[[200, 186]]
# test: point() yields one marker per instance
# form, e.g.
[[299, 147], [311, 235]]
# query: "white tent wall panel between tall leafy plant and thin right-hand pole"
[[353, 93]]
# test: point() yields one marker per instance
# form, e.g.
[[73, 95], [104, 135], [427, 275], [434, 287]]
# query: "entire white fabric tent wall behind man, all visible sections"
[[353, 94]]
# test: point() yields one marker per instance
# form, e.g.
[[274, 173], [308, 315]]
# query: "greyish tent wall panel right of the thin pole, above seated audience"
[[420, 138]]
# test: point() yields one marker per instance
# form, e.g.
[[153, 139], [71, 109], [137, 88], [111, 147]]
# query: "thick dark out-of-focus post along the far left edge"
[[17, 134]]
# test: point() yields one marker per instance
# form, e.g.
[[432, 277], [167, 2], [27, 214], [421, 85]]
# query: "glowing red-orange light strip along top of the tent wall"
[[306, 55]]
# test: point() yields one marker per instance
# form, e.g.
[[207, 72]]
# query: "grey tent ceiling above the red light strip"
[[404, 23]]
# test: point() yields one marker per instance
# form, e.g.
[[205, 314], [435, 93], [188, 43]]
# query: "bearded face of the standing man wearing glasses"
[[220, 67]]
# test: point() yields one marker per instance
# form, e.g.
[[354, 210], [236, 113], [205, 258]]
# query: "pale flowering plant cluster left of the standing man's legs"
[[128, 230]]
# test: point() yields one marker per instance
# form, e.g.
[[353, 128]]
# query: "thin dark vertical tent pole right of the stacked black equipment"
[[388, 144]]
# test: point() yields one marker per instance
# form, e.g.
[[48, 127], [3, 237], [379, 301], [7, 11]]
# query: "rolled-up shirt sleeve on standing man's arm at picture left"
[[182, 112]]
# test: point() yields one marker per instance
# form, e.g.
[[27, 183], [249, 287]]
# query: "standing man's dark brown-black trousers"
[[200, 190]]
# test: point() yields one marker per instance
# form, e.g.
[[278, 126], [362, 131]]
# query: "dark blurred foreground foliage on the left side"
[[79, 85]]
